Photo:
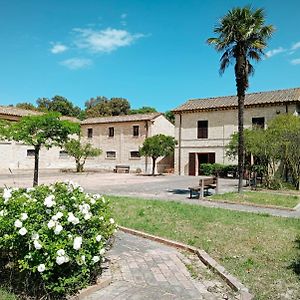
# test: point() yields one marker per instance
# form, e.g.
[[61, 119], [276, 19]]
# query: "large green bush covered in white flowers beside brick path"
[[56, 235]]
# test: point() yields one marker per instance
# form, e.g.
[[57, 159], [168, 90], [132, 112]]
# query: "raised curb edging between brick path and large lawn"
[[232, 281]]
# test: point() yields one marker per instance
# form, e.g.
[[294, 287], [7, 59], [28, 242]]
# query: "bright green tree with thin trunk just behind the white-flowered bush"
[[39, 131]]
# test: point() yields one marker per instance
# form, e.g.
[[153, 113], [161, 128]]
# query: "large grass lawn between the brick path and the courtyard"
[[260, 250]]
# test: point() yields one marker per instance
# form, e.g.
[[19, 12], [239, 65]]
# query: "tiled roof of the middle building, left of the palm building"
[[118, 119]]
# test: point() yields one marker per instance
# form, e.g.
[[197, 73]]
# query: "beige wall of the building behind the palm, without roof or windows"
[[221, 124]]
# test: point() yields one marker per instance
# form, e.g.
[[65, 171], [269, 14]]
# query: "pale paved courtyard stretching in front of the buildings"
[[165, 187]]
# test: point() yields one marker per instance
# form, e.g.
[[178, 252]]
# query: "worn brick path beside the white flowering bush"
[[144, 269]]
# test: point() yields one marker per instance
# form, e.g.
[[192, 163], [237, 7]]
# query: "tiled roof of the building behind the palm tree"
[[253, 99]]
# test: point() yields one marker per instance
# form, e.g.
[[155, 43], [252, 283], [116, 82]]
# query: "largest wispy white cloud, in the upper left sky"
[[105, 40]]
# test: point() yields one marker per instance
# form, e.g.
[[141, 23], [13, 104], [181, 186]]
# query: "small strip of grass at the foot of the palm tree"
[[264, 198]]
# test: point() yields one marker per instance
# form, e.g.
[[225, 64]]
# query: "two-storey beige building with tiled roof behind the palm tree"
[[203, 126]]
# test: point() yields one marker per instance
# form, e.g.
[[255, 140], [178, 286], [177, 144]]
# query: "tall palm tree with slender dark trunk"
[[242, 36]]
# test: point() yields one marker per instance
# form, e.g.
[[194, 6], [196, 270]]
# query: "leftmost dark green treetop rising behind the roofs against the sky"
[[58, 104]]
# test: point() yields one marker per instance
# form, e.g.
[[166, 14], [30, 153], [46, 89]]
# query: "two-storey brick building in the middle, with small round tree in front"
[[120, 137]]
